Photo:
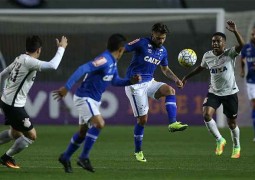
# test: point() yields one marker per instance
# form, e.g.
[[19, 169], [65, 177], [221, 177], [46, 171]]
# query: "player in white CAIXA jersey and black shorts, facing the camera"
[[222, 89]]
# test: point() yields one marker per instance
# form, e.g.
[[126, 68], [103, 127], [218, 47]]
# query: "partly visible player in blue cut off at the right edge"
[[248, 58]]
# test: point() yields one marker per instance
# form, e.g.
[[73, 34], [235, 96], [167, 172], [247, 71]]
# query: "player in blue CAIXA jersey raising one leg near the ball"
[[148, 54]]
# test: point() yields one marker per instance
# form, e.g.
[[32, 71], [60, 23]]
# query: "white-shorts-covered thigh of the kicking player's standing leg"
[[137, 95]]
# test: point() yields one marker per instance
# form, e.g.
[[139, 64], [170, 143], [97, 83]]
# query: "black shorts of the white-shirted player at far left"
[[18, 118]]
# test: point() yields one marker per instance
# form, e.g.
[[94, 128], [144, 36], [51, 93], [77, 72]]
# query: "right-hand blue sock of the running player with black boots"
[[90, 139]]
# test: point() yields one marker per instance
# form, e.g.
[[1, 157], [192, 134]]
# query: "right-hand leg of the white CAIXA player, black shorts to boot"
[[230, 109]]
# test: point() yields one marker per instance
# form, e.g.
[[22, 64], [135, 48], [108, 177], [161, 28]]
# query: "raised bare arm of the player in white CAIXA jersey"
[[232, 27]]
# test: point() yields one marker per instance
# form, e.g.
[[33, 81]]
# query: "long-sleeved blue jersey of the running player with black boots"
[[99, 73]]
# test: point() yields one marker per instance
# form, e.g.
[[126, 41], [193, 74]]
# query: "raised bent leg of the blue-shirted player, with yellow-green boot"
[[157, 90]]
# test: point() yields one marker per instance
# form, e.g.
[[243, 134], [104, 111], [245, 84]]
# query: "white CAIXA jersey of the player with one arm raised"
[[222, 82]]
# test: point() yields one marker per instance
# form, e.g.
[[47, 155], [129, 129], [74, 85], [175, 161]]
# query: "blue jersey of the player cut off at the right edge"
[[248, 52]]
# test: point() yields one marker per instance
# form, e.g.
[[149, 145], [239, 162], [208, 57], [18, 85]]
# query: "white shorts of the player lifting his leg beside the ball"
[[138, 96]]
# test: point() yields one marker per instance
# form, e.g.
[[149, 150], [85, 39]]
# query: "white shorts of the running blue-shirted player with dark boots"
[[86, 108]]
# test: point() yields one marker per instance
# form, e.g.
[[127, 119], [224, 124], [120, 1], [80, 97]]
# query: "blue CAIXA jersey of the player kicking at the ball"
[[146, 58]]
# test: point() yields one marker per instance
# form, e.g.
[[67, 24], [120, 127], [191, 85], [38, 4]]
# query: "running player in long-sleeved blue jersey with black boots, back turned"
[[99, 73]]
